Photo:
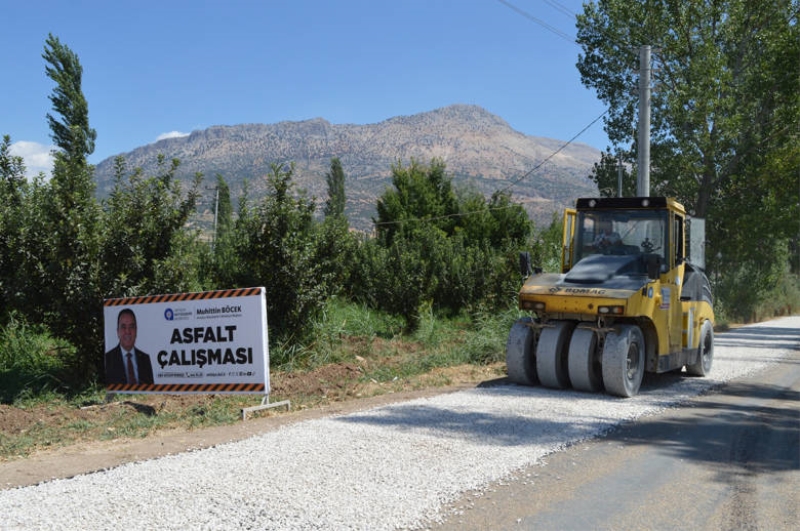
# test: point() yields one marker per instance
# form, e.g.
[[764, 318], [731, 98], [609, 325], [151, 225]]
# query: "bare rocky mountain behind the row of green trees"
[[479, 148]]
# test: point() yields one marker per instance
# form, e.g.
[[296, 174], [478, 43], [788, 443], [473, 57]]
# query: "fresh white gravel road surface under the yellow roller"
[[392, 467]]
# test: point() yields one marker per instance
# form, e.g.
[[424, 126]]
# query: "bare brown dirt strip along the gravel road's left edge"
[[333, 389]]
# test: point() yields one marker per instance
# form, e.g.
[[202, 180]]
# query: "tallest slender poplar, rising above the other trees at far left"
[[67, 294]]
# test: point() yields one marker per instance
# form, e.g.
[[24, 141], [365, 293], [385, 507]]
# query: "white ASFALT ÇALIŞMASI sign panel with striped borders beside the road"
[[208, 342]]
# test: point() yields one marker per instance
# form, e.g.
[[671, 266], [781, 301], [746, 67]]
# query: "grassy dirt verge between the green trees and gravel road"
[[357, 353]]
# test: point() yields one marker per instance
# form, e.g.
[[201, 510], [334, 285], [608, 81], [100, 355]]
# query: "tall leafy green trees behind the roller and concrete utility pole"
[[724, 111]]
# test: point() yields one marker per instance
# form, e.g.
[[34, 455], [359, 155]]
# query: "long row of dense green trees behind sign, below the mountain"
[[64, 251]]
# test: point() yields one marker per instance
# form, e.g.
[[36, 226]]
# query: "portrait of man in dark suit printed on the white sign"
[[126, 364]]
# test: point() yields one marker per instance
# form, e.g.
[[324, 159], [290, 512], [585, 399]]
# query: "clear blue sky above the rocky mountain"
[[168, 67]]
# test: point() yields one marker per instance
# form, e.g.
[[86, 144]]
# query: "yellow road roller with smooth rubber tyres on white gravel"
[[631, 297]]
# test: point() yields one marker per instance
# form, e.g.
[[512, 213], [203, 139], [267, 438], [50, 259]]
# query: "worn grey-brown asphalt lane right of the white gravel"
[[726, 460]]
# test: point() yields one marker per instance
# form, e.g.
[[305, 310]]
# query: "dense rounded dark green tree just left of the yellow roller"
[[439, 247]]
